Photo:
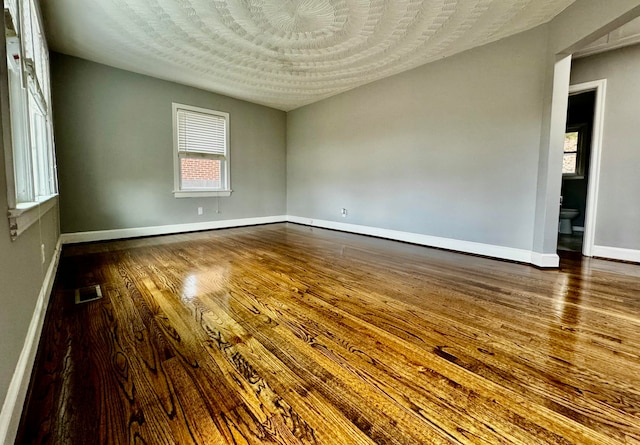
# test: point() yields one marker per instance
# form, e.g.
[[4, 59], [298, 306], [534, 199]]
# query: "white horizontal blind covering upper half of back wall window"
[[201, 133]]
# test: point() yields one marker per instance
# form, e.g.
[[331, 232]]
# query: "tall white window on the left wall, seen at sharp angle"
[[30, 158]]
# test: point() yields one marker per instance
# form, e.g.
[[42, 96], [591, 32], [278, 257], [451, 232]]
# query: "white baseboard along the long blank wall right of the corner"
[[490, 250]]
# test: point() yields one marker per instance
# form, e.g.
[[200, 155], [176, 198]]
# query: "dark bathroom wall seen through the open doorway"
[[574, 190]]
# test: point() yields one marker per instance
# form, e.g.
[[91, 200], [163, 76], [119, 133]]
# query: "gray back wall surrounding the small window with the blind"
[[113, 132]]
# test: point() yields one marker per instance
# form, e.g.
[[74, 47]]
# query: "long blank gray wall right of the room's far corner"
[[449, 149]]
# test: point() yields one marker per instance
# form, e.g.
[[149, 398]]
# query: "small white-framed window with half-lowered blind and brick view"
[[201, 152]]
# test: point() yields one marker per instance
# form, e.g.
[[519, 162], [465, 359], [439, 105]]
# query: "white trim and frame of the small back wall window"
[[177, 191]]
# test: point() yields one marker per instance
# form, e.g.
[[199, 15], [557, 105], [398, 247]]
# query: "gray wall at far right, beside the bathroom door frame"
[[618, 212]]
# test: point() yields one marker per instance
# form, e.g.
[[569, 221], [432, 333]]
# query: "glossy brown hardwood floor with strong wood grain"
[[286, 334]]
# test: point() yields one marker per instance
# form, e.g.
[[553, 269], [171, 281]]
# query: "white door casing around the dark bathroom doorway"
[[593, 186]]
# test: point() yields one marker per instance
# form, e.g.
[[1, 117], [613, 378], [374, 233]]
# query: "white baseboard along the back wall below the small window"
[[102, 235]]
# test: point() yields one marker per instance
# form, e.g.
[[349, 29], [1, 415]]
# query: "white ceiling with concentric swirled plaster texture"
[[282, 53]]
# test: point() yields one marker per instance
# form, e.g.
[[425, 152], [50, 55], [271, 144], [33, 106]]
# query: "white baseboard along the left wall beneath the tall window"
[[17, 391]]
